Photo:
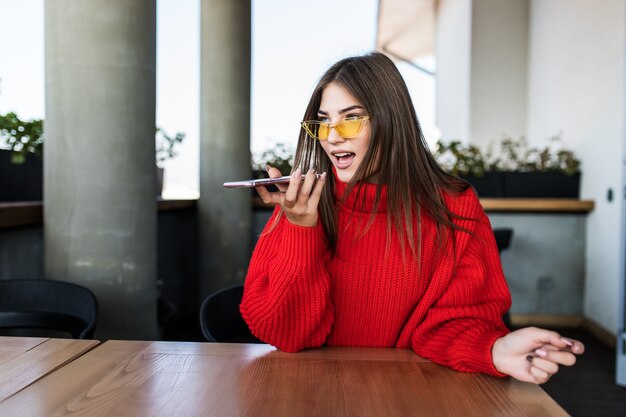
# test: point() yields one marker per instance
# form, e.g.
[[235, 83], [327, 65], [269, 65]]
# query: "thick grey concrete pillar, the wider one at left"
[[99, 159]]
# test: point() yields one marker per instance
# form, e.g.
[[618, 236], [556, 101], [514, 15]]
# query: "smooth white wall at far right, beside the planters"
[[576, 87]]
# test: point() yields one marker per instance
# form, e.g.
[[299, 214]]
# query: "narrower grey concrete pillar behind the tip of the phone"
[[225, 142]]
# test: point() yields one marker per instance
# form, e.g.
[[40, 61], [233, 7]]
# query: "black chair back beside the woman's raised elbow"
[[220, 319]]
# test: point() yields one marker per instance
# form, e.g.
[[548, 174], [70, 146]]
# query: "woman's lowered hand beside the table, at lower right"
[[534, 355]]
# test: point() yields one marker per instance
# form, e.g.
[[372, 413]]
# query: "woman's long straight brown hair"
[[397, 151]]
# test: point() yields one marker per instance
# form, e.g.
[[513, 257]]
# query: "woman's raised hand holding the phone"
[[298, 198]]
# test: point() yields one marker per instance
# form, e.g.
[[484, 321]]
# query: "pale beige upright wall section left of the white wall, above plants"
[[498, 70]]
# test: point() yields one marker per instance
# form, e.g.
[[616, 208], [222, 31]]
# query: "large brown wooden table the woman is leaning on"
[[134, 378]]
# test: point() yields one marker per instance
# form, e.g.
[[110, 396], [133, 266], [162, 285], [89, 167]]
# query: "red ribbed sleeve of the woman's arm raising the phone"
[[286, 299]]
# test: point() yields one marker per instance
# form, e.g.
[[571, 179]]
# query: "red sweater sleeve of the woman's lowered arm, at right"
[[469, 295]]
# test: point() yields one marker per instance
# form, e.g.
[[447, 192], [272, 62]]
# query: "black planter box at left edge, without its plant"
[[20, 182]]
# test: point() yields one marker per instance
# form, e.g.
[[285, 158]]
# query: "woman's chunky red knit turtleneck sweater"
[[448, 308]]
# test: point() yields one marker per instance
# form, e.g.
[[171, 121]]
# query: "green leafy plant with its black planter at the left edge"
[[21, 165]]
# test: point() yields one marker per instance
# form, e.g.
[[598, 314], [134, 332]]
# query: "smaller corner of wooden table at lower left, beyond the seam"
[[24, 360]]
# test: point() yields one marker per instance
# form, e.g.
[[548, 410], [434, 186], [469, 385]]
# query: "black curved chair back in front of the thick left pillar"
[[48, 305]]
